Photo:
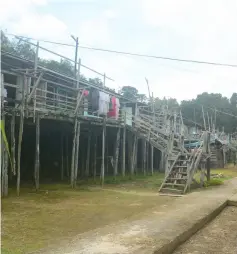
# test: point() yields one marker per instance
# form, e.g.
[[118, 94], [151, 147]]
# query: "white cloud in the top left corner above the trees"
[[21, 17]]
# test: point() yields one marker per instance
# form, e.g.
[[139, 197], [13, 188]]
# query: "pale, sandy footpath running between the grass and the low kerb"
[[156, 228]]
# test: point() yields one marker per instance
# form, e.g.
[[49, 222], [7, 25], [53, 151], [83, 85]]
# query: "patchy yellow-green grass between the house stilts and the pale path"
[[36, 220]]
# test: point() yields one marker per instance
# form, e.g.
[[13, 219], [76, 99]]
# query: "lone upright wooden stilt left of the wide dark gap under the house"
[[37, 152]]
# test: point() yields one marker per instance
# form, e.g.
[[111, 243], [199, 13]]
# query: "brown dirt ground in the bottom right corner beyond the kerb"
[[218, 237]]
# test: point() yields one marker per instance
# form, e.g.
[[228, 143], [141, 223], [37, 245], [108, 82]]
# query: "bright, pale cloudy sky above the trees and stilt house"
[[188, 29]]
